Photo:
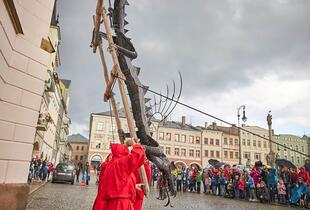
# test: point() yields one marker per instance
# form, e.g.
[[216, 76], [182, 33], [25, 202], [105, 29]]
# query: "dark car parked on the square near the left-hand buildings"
[[64, 172]]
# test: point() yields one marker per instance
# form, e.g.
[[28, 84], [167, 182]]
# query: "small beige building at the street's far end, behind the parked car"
[[79, 145]]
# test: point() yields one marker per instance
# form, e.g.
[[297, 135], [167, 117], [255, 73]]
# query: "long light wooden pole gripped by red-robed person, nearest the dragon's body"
[[121, 85]]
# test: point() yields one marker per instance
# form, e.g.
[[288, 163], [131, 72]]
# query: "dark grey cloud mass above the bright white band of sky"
[[217, 45]]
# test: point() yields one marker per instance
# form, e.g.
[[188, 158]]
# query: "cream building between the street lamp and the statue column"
[[254, 148]]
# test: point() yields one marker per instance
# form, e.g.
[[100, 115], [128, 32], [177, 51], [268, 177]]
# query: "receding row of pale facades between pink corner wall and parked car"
[[53, 123]]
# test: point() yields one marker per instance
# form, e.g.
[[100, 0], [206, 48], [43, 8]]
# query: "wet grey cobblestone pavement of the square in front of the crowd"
[[77, 197]]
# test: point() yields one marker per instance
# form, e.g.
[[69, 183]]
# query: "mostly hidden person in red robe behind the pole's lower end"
[[140, 195]]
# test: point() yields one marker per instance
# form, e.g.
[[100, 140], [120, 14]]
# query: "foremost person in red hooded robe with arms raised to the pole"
[[118, 183]]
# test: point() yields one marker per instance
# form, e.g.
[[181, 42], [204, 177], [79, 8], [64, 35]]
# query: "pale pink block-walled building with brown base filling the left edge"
[[24, 57]]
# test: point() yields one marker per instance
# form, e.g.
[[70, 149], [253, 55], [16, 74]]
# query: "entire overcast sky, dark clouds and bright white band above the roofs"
[[230, 52]]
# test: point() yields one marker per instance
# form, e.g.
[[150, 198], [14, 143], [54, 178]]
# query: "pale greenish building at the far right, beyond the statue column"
[[293, 142]]
